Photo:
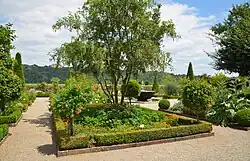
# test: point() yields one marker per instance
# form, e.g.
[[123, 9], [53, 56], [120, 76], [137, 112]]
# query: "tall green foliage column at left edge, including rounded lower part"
[[10, 84]]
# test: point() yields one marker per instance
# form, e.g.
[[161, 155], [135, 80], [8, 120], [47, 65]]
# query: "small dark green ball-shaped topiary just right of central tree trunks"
[[132, 90]]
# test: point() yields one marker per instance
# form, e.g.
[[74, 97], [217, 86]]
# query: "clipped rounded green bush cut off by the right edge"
[[242, 117]]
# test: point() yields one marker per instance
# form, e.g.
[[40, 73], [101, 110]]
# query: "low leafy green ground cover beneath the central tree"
[[116, 115]]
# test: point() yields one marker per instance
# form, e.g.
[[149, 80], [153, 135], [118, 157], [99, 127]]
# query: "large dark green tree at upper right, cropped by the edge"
[[232, 38]]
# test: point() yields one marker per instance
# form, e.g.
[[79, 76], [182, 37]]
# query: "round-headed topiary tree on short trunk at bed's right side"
[[198, 95]]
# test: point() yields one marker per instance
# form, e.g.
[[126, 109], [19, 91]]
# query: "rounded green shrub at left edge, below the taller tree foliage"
[[10, 87]]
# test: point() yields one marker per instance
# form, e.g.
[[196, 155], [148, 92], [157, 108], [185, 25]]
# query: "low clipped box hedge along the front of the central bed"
[[65, 142]]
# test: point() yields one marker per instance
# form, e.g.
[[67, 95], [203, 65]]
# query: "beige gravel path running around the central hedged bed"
[[31, 141]]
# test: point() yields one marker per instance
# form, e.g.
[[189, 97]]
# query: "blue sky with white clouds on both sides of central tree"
[[33, 22]]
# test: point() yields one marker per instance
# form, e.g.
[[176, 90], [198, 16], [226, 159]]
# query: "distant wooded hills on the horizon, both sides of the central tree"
[[38, 74]]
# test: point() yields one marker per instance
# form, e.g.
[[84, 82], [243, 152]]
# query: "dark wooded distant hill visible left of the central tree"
[[38, 74]]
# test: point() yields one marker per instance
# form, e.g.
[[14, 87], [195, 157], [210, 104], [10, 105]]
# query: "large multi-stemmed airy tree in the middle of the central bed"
[[118, 39]]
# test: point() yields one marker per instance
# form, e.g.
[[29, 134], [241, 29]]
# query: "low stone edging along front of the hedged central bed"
[[131, 145]]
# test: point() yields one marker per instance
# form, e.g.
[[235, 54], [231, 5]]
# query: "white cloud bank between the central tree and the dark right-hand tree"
[[193, 42]]
